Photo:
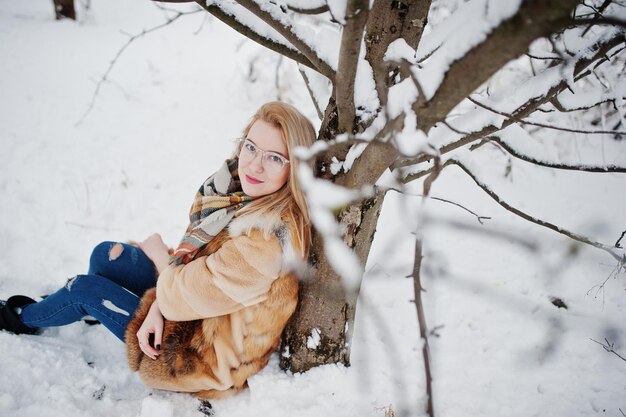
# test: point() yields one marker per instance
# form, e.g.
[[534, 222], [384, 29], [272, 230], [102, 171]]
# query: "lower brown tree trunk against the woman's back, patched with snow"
[[320, 330]]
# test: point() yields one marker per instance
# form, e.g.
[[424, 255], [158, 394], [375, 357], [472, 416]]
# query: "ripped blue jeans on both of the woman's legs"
[[118, 276]]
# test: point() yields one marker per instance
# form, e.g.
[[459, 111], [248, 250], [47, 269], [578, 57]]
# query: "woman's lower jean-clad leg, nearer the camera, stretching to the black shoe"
[[84, 295]]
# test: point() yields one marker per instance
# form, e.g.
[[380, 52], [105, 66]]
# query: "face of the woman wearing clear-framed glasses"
[[256, 179]]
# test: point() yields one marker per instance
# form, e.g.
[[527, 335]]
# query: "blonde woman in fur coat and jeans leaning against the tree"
[[223, 297]]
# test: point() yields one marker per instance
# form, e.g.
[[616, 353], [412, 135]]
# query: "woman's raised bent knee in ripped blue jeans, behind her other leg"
[[123, 264]]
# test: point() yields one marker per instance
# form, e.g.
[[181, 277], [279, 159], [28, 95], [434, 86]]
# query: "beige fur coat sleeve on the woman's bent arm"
[[239, 274]]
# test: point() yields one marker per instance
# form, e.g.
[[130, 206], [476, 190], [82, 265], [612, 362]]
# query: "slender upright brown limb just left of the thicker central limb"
[[351, 39]]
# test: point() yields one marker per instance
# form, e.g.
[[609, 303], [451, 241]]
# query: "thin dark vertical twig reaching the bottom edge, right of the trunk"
[[417, 290]]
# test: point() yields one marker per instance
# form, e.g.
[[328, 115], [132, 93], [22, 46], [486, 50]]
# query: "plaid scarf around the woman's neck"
[[216, 203]]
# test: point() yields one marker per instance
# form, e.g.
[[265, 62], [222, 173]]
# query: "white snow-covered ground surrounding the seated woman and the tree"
[[163, 121]]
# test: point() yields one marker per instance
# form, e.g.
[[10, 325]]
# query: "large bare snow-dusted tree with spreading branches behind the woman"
[[414, 87]]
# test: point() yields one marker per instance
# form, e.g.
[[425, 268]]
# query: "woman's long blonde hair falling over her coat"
[[289, 201]]
